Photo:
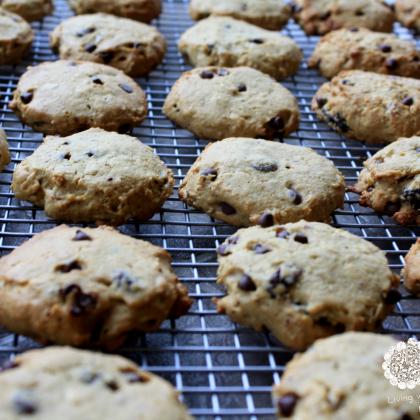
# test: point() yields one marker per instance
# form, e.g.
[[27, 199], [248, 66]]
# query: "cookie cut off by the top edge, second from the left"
[[141, 10]]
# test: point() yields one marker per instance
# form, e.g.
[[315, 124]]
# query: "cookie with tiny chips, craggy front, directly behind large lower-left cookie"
[[94, 176]]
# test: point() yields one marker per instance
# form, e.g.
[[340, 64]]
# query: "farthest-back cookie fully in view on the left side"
[[133, 47]]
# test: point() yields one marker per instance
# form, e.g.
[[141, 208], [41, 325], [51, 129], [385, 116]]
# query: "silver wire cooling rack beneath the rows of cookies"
[[222, 369]]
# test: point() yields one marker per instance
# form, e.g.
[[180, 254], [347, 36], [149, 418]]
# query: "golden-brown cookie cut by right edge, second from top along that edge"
[[362, 49]]
